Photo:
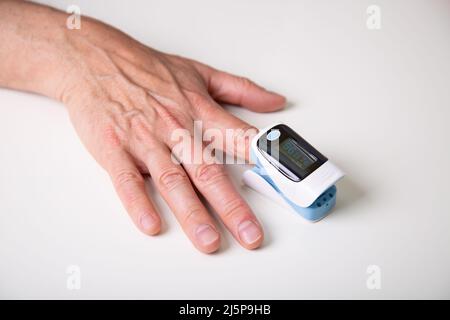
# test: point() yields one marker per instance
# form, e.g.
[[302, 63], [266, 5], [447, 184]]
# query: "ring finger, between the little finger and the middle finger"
[[175, 187]]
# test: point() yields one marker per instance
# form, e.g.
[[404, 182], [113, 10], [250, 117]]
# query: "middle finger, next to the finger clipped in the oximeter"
[[212, 181]]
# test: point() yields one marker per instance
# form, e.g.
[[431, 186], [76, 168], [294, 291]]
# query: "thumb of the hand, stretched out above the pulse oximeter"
[[228, 88]]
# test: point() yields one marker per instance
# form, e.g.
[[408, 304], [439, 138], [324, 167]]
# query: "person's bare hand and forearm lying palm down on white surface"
[[124, 100]]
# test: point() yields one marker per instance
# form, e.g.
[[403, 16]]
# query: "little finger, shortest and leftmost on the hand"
[[130, 187]]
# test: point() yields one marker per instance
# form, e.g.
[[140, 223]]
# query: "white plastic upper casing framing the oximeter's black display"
[[306, 191]]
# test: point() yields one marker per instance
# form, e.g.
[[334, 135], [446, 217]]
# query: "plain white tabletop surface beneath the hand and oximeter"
[[376, 102]]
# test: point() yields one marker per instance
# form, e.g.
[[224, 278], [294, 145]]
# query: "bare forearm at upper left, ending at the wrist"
[[31, 51]]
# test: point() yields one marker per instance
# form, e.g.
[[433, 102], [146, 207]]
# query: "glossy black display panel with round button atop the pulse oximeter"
[[289, 153]]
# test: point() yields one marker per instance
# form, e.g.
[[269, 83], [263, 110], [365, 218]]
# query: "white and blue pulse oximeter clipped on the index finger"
[[292, 172]]
